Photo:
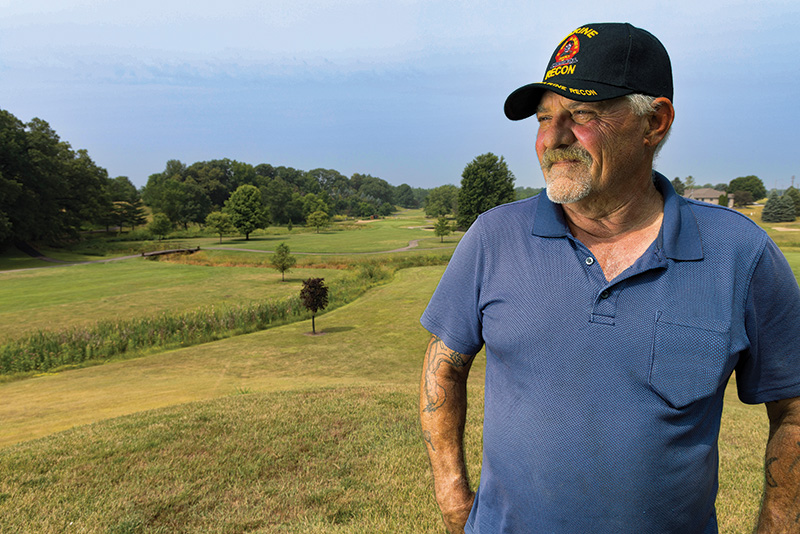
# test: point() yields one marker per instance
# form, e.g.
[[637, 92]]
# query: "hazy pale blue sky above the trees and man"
[[406, 90]]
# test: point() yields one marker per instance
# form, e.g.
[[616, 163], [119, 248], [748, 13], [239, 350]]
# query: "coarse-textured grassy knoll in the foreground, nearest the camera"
[[319, 461]]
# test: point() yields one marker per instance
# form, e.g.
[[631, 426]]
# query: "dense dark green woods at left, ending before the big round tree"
[[50, 192]]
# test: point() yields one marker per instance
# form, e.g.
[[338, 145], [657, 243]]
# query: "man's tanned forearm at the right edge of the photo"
[[780, 509]]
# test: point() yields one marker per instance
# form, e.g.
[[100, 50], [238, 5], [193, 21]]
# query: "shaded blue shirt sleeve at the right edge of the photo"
[[770, 370]]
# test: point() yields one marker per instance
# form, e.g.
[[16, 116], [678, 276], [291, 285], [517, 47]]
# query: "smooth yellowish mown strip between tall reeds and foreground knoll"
[[377, 339]]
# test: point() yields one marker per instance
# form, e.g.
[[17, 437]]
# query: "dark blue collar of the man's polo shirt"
[[681, 236]]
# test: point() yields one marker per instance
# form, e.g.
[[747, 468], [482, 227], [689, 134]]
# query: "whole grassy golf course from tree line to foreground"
[[258, 427]]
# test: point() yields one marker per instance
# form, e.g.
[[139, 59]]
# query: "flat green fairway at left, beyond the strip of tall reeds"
[[80, 295]]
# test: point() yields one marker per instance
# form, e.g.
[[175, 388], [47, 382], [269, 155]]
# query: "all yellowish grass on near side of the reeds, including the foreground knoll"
[[276, 431]]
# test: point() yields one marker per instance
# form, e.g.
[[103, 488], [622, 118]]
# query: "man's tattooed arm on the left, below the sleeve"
[[443, 408]]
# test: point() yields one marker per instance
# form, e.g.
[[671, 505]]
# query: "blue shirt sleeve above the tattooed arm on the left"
[[453, 313]]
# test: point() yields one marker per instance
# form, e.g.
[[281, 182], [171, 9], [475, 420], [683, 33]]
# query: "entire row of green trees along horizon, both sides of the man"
[[51, 192]]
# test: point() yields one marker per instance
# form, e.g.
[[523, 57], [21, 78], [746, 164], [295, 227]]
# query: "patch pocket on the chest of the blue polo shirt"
[[690, 358]]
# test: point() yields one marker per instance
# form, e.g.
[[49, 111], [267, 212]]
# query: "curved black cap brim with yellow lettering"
[[523, 102]]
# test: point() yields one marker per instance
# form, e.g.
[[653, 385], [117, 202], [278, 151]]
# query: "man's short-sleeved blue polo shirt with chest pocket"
[[603, 399]]
